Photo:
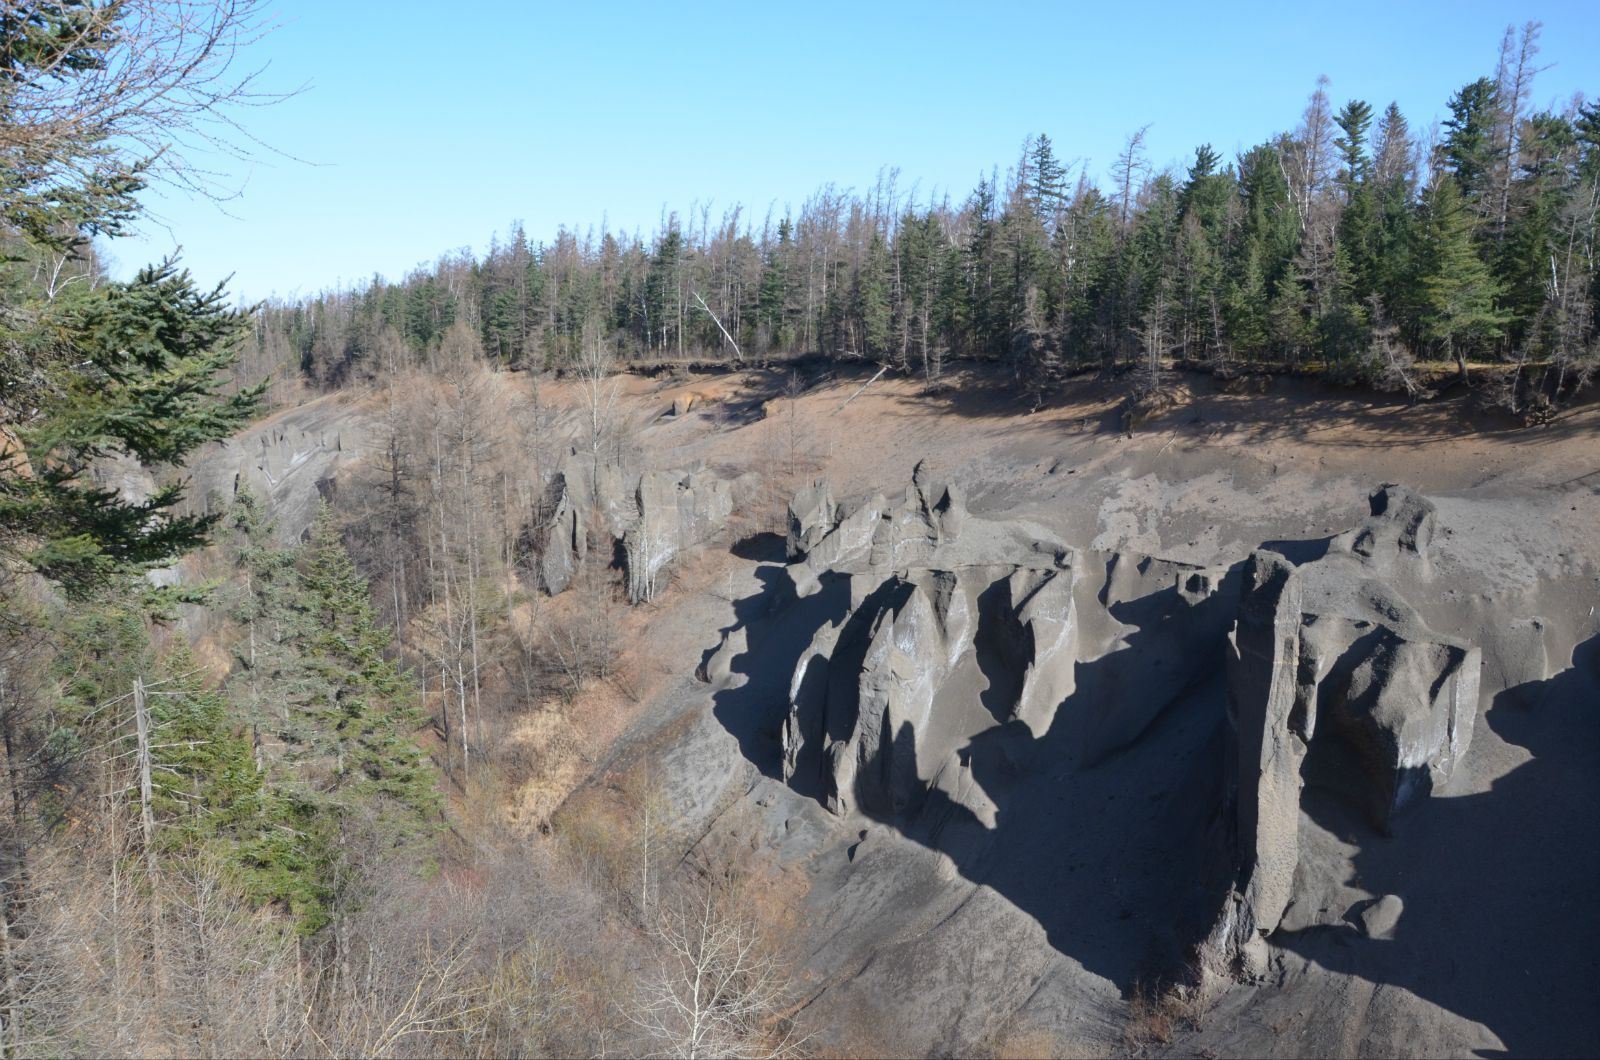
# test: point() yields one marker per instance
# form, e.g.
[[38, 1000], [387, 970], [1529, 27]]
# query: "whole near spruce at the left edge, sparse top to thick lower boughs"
[[94, 371]]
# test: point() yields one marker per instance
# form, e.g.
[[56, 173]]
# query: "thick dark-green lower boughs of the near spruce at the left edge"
[[127, 369]]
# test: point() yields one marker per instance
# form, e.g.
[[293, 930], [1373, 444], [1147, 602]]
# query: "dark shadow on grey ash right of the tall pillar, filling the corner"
[[1498, 889]]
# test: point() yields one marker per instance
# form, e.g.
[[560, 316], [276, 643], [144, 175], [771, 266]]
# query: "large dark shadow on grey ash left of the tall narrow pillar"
[[1110, 859]]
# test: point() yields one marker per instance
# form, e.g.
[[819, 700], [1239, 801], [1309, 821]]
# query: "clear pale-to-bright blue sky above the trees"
[[428, 127]]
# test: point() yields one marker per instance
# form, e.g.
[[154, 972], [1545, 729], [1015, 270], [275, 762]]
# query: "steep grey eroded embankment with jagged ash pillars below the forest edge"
[[1199, 707]]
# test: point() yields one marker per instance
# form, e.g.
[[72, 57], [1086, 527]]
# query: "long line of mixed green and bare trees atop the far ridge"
[[1353, 244]]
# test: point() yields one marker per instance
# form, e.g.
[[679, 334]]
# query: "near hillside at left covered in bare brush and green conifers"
[[238, 822]]
